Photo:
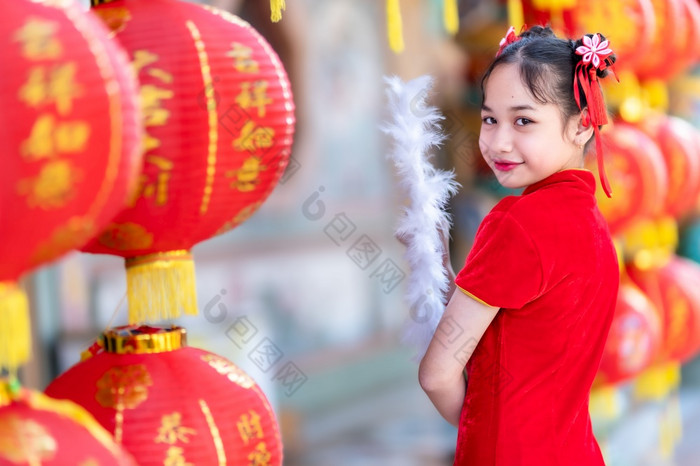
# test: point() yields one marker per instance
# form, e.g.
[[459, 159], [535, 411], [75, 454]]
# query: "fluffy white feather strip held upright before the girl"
[[415, 131]]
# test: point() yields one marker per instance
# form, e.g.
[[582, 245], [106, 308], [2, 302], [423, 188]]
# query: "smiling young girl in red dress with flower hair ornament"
[[535, 299]]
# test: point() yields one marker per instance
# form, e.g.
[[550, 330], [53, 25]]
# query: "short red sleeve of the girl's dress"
[[503, 268]]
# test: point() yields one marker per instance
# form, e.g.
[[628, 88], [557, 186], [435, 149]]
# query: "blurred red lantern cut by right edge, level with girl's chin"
[[676, 139]]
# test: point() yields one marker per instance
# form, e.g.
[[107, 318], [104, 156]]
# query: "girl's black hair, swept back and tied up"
[[547, 65]]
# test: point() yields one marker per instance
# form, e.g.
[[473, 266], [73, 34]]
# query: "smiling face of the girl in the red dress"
[[522, 140]]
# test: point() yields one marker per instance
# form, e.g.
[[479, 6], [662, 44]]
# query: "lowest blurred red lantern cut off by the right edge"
[[673, 288]]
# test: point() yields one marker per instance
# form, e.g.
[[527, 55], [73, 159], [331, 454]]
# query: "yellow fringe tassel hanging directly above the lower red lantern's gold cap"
[[160, 286]]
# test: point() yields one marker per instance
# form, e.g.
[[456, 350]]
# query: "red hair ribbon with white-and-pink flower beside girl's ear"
[[594, 53]]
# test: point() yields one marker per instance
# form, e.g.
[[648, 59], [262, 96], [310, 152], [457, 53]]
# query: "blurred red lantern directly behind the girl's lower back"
[[634, 339]]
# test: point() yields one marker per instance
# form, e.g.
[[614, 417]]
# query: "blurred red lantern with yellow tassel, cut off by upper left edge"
[[70, 144]]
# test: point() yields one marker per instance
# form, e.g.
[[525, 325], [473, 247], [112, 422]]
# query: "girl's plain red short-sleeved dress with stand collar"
[[547, 260]]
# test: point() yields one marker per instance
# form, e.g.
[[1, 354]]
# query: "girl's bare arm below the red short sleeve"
[[441, 370]]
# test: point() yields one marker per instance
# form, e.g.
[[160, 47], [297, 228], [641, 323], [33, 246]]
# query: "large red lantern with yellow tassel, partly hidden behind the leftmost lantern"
[[219, 116]]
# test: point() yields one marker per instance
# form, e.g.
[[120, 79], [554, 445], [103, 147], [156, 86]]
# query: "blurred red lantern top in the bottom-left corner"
[[34, 429]]
